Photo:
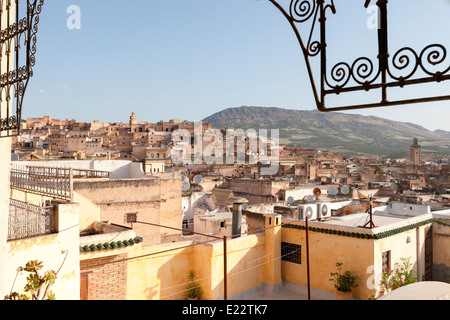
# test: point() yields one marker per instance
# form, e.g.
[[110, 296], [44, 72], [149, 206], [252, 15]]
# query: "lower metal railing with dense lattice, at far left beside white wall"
[[26, 220]]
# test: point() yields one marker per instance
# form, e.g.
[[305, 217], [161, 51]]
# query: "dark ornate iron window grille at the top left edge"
[[18, 56]]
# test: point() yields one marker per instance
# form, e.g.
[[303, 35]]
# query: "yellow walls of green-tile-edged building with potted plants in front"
[[363, 257]]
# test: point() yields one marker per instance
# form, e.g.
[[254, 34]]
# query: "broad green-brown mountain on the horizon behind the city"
[[334, 131]]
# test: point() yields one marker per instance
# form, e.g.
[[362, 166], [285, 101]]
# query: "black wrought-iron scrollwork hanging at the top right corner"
[[363, 74]]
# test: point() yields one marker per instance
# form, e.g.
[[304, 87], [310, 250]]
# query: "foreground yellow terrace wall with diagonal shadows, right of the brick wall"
[[163, 276]]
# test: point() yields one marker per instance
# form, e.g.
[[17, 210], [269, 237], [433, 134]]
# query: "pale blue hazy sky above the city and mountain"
[[187, 59]]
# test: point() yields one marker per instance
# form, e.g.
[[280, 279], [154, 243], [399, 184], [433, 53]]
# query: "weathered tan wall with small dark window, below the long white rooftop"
[[156, 200]]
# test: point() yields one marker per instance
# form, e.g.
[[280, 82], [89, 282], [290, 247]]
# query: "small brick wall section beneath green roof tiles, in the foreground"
[[106, 279]]
